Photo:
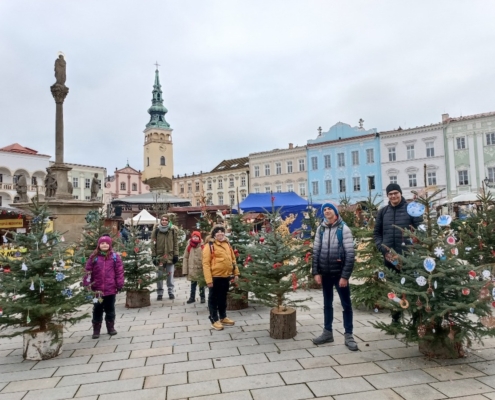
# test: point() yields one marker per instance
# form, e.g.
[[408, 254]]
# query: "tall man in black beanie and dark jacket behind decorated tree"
[[388, 235]]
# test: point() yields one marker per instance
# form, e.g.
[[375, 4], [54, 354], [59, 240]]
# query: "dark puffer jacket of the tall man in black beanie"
[[387, 231]]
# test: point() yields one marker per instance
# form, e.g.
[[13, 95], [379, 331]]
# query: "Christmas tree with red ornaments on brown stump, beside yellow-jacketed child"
[[272, 271]]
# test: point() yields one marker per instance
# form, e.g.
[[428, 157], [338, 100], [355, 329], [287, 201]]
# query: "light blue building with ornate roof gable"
[[344, 162]]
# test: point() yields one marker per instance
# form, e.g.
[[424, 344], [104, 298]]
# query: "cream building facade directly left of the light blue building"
[[279, 170]]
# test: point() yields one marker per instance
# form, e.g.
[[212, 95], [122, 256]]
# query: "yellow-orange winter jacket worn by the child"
[[219, 264]]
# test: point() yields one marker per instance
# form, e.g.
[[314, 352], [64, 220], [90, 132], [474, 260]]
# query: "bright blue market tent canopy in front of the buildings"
[[285, 203]]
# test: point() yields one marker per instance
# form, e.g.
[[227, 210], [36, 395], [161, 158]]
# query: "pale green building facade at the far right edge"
[[470, 152]]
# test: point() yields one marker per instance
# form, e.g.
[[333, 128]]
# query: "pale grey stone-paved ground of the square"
[[167, 351]]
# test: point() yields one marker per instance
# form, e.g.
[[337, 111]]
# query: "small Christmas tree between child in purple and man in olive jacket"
[[138, 270]]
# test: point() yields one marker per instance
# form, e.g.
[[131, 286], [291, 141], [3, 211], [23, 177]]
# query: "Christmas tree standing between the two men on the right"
[[369, 269]]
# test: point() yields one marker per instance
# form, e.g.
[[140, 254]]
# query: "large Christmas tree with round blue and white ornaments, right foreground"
[[445, 300]]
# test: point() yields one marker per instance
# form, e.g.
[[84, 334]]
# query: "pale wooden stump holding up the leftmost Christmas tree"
[[42, 345]]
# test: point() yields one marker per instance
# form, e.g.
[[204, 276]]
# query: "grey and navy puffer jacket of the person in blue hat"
[[326, 259]]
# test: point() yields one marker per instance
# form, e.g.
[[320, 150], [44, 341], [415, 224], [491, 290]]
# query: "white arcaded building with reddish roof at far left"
[[18, 160]]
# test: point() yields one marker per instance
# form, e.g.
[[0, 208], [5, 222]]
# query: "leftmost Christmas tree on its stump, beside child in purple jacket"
[[40, 289]]
